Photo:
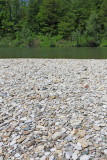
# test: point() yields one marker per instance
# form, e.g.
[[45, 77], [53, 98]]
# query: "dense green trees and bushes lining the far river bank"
[[53, 23]]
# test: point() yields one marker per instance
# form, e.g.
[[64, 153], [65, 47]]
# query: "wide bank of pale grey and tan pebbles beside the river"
[[53, 109]]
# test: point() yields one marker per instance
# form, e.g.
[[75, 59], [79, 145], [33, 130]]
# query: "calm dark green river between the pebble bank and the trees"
[[73, 53]]
